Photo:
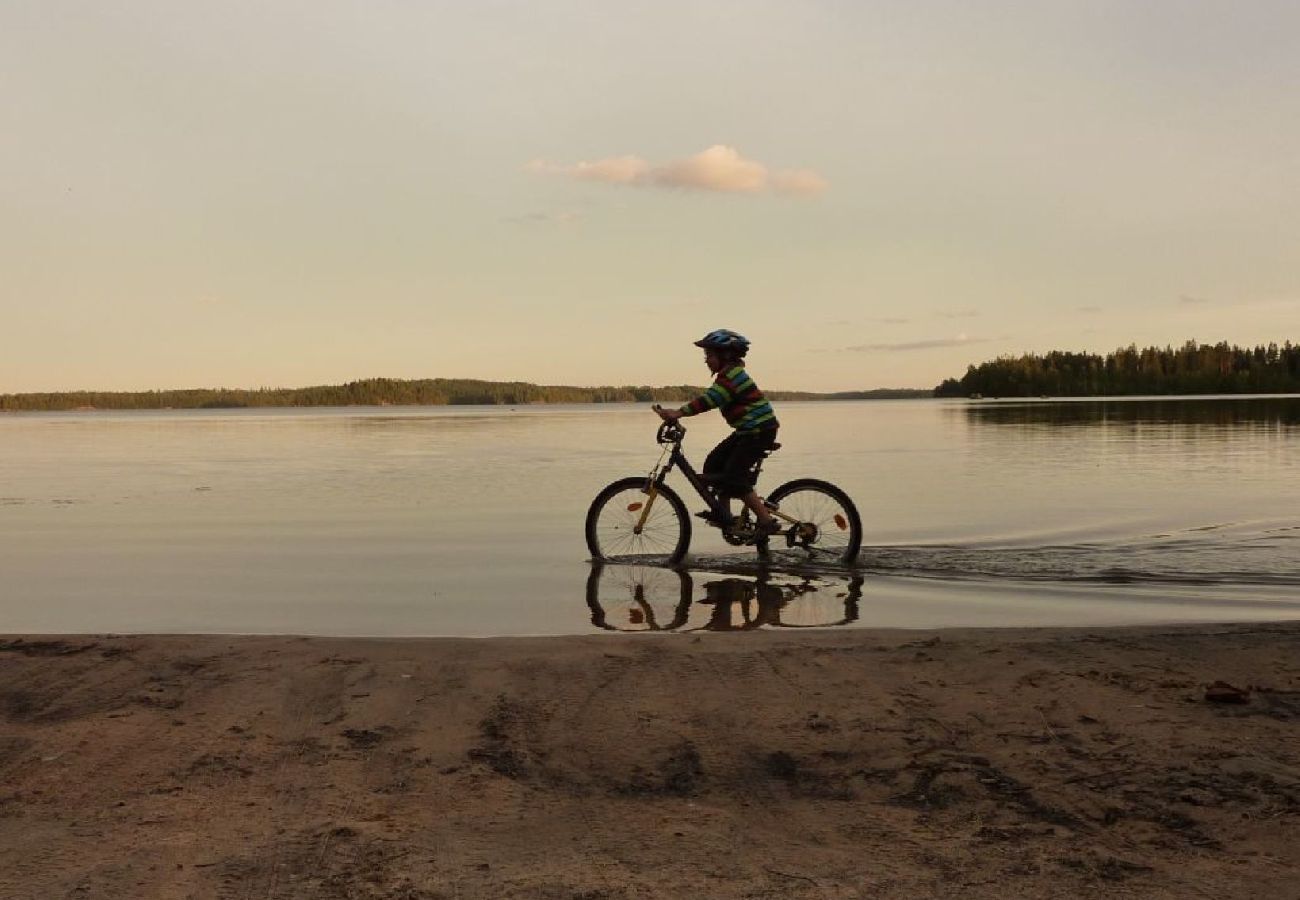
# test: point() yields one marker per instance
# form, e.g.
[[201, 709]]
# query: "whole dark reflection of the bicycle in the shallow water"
[[631, 598]]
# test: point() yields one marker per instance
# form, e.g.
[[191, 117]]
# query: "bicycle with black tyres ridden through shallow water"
[[643, 517]]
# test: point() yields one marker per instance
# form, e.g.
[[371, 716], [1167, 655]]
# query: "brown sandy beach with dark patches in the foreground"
[[976, 764]]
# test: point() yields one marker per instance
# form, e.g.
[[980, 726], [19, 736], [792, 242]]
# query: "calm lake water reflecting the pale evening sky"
[[469, 521]]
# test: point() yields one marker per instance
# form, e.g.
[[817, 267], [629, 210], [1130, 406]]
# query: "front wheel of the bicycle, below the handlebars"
[[626, 522]]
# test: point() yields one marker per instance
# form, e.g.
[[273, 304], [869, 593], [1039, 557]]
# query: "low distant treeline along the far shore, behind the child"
[[391, 392]]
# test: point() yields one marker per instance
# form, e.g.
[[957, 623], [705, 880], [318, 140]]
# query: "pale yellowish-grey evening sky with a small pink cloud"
[[254, 194]]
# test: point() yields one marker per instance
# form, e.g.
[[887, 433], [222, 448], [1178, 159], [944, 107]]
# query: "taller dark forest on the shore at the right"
[[1194, 369]]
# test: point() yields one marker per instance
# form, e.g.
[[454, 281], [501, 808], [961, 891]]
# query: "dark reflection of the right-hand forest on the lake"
[[1258, 412]]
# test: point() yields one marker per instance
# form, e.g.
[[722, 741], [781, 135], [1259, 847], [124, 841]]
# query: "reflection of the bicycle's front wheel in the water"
[[625, 598]]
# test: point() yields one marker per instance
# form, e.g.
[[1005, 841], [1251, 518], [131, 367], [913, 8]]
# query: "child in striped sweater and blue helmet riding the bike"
[[730, 466]]
